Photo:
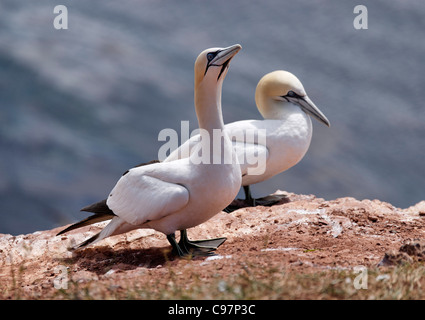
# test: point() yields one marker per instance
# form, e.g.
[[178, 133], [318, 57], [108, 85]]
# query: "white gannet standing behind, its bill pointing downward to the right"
[[282, 101]]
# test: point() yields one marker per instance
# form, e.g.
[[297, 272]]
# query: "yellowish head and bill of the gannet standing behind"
[[283, 87]]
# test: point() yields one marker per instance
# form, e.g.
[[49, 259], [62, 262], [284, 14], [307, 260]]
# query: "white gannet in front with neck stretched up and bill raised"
[[171, 196]]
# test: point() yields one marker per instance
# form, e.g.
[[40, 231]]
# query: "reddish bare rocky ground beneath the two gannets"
[[301, 233]]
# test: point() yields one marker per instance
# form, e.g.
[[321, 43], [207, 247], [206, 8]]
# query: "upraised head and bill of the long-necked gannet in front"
[[212, 64]]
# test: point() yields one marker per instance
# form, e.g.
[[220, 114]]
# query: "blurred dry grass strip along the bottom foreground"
[[251, 282]]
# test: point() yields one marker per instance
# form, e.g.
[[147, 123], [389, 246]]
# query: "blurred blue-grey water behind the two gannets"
[[80, 106]]
